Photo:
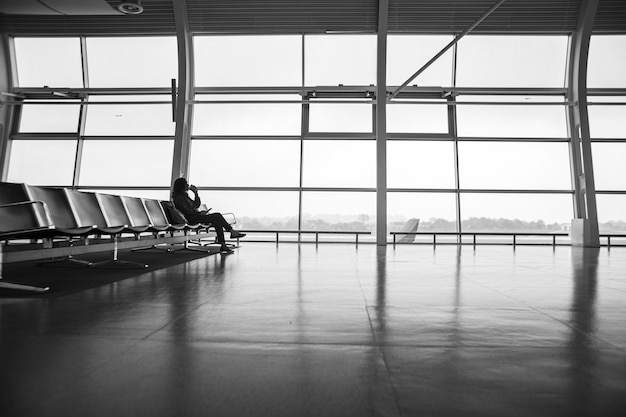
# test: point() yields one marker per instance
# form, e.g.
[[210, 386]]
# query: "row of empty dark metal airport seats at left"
[[35, 212]]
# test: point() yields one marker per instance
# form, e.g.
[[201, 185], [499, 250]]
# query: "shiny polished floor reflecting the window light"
[[336, 330]]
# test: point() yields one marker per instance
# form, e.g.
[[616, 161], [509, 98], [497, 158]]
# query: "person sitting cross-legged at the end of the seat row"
[[190, 210]]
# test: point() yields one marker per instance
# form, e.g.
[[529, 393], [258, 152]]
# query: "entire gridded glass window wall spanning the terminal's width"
[[283, 127]]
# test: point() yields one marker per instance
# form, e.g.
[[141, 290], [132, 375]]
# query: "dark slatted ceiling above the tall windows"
[[318, 16]]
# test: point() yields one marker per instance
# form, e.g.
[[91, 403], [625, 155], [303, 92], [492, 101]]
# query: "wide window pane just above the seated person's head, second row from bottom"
[[265, 163]]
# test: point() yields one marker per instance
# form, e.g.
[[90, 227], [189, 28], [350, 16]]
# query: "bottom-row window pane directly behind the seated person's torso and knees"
[[264, 210]]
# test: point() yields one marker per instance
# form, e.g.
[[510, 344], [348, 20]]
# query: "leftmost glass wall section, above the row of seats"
[[117, 140]]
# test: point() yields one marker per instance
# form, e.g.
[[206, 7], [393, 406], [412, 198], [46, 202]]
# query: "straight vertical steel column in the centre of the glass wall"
[[381, 124]]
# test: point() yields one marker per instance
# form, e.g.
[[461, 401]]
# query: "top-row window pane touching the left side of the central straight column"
[[339, 59]]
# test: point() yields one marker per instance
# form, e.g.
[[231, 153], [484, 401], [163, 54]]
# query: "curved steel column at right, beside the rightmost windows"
[[585, 224]]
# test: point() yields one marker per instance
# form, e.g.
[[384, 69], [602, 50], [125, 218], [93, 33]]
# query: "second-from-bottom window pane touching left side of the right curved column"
[[540, 166]]
